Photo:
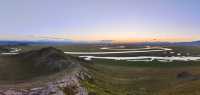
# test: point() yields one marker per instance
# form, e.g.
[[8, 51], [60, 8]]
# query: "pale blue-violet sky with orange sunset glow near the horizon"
[[92, 20]]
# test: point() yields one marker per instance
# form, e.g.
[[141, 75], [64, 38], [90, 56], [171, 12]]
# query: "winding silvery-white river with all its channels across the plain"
[[138, 58]]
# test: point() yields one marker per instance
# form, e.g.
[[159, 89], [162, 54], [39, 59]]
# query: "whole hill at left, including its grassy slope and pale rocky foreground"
[[47, 71]]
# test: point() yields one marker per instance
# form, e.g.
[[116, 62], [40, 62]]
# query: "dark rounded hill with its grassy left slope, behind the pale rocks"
[[29, 65]]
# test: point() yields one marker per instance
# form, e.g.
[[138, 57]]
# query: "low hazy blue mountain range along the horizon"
[[67, 42]]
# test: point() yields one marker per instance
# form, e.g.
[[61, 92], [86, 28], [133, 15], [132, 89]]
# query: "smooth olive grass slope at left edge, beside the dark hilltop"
[[15, 70]]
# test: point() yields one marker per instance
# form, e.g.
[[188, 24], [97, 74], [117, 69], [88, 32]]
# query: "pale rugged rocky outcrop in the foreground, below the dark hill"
[[68, 85]]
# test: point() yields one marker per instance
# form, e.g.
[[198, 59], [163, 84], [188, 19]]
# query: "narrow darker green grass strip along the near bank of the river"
[[150, 64]]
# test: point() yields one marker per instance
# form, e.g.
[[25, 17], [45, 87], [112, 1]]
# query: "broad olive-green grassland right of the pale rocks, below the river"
[[122, 78]]
